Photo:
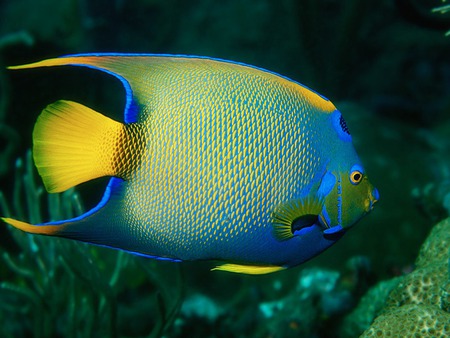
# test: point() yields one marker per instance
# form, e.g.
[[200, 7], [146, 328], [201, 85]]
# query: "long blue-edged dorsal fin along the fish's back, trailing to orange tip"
[[133, 70]]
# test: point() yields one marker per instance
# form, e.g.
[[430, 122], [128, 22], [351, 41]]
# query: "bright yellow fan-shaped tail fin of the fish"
[[73, 144]]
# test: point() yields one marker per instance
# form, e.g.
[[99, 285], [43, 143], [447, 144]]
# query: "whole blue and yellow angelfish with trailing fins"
[[214, 160]]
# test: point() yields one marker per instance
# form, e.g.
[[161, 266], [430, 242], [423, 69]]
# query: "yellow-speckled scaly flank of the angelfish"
[[221, 154]]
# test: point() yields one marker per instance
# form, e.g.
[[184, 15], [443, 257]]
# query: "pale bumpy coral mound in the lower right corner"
[[420, 304]]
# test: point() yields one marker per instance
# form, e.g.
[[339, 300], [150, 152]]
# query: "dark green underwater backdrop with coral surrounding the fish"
[[384, 64]]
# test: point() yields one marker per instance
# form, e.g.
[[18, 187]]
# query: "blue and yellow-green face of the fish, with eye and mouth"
[[350, 196]]
